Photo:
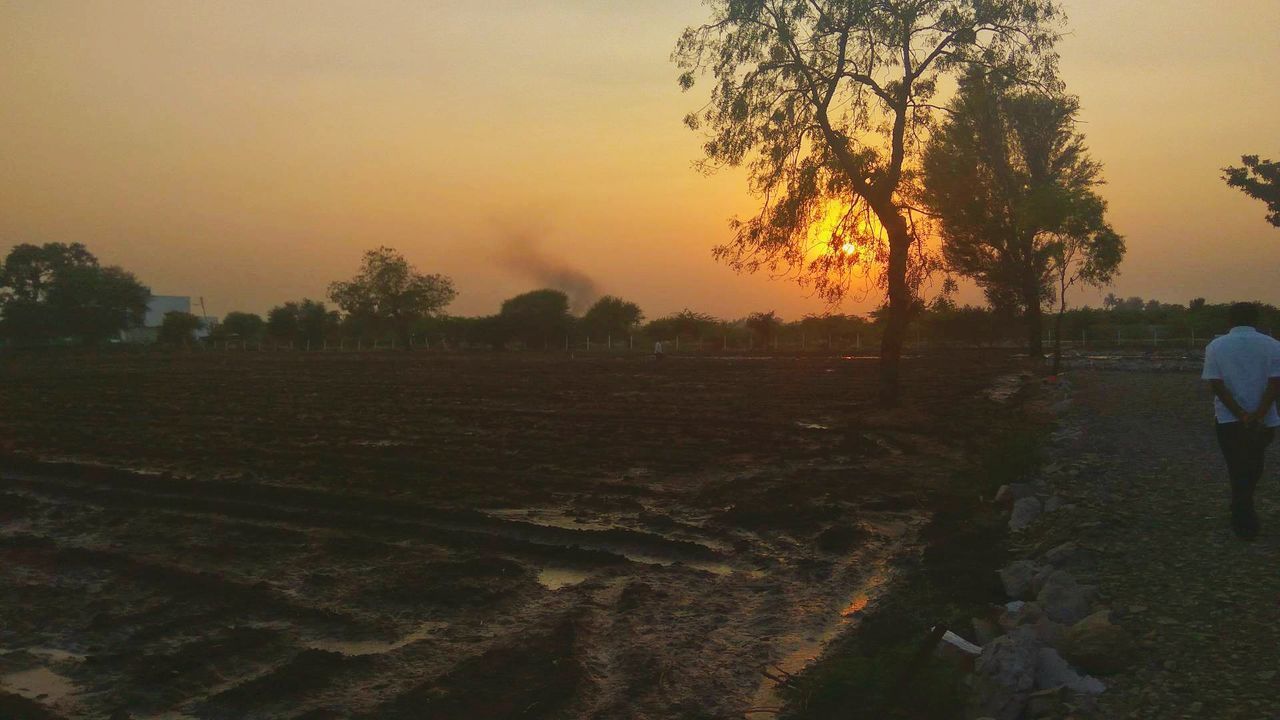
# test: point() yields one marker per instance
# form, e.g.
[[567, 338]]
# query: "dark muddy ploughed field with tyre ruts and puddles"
[[451, 536]]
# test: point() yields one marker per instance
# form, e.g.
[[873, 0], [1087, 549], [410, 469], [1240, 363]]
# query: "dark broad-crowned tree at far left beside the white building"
[[60, 290]]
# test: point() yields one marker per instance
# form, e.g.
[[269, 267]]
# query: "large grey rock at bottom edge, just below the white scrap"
[[1005, 676]]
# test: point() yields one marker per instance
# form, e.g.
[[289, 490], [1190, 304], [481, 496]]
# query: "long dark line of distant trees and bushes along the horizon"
[[61, 294]]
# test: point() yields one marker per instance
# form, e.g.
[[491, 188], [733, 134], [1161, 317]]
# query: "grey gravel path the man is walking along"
[[1203, 604]]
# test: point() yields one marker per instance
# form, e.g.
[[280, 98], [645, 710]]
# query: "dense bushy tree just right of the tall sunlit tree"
[[1014, 190]]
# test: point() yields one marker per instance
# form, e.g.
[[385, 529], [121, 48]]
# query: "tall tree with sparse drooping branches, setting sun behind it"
[[826, 103]]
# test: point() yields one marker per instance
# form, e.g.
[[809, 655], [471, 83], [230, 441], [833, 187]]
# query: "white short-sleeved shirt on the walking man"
[[1245, 361]]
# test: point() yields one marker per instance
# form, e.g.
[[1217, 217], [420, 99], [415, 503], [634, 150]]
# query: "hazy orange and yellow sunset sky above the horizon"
[[249, 153]]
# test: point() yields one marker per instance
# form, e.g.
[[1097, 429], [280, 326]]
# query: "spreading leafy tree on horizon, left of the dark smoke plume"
[[390, 291]]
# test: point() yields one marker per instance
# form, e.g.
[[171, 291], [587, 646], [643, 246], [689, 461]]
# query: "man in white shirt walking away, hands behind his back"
[[1244, 370]]
